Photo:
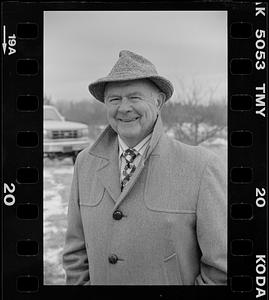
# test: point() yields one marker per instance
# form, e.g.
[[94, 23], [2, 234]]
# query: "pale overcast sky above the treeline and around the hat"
[[82, 46]]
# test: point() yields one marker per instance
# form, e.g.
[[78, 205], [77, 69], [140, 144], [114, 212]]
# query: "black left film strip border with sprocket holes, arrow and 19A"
[[22, 186]]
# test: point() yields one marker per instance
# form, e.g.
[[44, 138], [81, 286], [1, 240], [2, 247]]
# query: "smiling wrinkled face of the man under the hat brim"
[[132, 108]]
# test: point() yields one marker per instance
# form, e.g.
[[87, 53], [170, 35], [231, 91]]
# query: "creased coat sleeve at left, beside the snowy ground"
[[75, 260]]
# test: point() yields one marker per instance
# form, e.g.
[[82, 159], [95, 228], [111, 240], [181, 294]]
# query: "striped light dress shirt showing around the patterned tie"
[[140, 148]]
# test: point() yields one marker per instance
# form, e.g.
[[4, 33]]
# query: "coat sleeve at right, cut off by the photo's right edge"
[[211, 224]]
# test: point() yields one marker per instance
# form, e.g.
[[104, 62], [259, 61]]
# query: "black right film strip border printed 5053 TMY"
[[247, 154]]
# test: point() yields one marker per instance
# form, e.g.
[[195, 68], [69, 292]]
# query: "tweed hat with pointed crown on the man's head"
[[131, 66]]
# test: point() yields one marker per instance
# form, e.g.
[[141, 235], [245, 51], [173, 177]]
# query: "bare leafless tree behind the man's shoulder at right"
[[196, 116]]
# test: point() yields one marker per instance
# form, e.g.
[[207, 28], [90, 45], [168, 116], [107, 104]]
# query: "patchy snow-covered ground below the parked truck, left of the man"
[[57, 182]]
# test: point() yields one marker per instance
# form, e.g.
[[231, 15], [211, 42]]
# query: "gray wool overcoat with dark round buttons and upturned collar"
[[174, 225]]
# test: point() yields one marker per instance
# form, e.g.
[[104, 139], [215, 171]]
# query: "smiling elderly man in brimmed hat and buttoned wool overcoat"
[[144, 209]]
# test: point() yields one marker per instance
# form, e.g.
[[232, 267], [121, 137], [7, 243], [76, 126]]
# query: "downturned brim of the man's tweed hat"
[[97, 88]]
